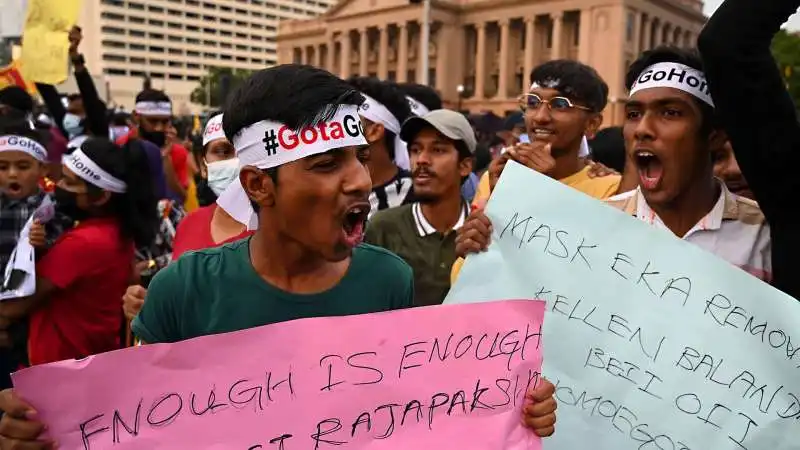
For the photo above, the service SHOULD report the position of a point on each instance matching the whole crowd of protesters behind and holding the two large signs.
(312, 196)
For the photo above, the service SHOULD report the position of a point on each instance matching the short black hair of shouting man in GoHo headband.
(687, 57)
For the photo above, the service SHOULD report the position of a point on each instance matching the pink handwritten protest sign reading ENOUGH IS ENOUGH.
(451, 376)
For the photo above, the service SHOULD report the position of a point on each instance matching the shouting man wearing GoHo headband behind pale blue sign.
(671, 131)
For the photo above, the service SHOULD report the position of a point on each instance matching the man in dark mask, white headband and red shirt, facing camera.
(153, 119)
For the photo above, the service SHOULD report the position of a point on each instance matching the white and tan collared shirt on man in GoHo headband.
(734, 230)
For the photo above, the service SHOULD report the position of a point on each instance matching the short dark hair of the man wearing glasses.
(575, 80)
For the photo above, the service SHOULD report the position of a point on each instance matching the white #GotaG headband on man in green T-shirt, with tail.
(269, 144)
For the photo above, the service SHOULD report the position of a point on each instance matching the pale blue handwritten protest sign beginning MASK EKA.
(653, 343)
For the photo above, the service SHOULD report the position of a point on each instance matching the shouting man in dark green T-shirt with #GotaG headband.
(305, 186)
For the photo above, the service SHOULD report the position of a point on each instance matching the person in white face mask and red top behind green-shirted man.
(209, 226)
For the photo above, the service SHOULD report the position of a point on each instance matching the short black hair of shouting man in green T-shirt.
(293, 94)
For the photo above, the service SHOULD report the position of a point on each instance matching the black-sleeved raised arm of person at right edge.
(759, 116)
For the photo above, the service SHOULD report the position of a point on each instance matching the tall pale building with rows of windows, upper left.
(174, 42)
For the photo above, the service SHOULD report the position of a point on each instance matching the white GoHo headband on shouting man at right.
(676, 76)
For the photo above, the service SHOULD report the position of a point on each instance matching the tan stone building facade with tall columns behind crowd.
(481, 52)
